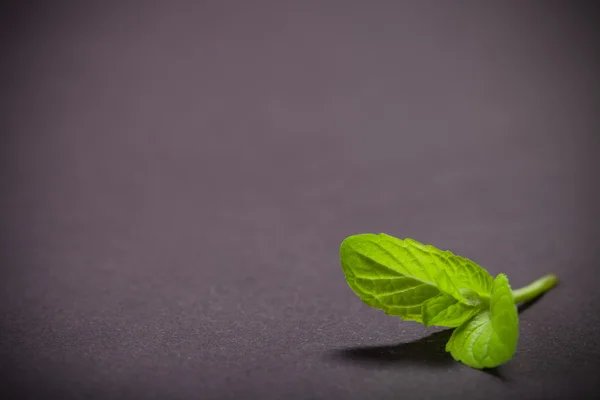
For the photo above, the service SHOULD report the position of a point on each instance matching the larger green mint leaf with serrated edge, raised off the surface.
(400, 276)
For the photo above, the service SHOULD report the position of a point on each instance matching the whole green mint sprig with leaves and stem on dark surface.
(421, 283)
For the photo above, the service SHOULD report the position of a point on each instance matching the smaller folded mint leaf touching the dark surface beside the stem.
(490, 338)
